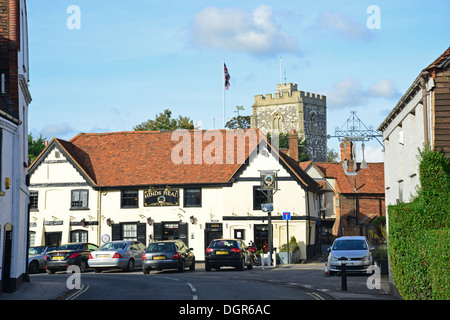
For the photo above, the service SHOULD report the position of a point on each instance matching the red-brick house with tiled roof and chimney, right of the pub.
(352, 198)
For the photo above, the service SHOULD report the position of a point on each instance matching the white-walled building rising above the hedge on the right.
(421, 116)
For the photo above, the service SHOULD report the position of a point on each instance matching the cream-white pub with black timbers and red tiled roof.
(149, 186)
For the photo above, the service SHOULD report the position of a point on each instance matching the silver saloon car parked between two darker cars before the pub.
(125, 255)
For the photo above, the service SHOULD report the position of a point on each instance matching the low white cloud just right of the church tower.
(349, 92)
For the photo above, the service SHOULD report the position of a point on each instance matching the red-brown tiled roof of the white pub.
(143, 158)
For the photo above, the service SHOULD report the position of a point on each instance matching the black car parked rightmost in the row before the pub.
(228, 252)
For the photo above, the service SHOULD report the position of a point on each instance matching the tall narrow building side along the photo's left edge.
(14, 102)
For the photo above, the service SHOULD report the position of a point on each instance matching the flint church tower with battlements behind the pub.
(290, 109)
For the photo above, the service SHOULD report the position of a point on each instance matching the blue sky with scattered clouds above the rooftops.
(108, 65)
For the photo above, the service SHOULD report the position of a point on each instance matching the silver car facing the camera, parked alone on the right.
(354, 250)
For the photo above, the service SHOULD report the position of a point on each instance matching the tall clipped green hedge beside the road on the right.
(419, 233)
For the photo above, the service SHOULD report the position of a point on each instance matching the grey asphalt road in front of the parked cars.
(224, 284)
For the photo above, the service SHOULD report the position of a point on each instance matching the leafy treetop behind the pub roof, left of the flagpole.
(164, 122)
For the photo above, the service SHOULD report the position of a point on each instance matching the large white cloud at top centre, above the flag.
(237, 30)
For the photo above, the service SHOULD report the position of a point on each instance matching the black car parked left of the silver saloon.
(67, 255)
